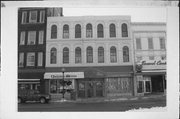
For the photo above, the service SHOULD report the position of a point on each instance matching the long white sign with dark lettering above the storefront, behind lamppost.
(67, 75)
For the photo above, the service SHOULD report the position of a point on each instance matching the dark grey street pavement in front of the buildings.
(116, 105)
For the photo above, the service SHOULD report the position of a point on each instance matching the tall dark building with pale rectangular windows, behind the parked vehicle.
(32, 46)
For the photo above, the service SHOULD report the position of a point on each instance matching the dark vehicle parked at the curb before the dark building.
(32, 95)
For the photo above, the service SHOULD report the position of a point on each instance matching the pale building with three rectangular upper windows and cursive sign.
(150, 57)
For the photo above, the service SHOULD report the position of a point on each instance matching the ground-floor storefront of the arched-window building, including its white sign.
(91, 82)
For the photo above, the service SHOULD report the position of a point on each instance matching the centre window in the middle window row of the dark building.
(31, 38)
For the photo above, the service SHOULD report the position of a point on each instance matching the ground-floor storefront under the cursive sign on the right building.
(151, 78)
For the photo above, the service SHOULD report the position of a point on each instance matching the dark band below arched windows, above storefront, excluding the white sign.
(97, 72)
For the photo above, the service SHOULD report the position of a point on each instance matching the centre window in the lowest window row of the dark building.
(30, 59)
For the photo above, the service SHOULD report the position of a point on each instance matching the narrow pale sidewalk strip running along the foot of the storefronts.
(112, 99)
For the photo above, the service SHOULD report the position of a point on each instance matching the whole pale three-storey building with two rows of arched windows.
(96, 53)
